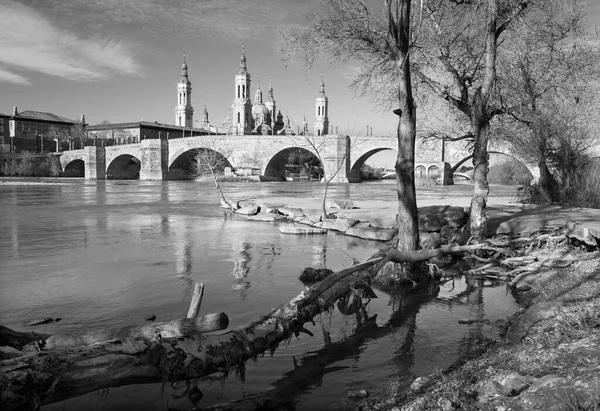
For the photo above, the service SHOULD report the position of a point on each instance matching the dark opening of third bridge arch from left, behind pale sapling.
(199, 164)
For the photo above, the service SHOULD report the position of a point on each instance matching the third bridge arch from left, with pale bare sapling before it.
(186, 164)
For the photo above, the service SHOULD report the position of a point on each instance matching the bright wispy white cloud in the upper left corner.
(34, 43)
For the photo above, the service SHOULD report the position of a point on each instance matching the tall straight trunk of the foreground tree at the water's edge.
(407, 218)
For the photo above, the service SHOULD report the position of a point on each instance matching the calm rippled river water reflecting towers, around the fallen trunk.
(110, 253)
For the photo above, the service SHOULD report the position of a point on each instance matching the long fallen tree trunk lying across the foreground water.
(64, 371)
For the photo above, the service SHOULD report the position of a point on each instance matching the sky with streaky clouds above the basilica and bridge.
(120, 60)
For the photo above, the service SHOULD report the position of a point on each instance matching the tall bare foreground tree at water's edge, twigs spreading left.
(378, 35)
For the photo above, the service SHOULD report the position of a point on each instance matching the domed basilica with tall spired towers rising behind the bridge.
(246, 116)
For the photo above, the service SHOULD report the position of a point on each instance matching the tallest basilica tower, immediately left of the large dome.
(241, 109)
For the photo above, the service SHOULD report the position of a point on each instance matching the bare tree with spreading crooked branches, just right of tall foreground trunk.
(459, 62)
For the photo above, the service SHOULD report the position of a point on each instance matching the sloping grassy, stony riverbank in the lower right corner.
(548, 358)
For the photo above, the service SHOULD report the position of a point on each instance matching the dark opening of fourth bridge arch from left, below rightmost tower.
(293, 164)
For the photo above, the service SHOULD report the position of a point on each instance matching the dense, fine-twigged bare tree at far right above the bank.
(544, 75)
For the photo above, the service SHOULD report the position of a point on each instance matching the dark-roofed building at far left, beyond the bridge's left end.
(38, 131)
